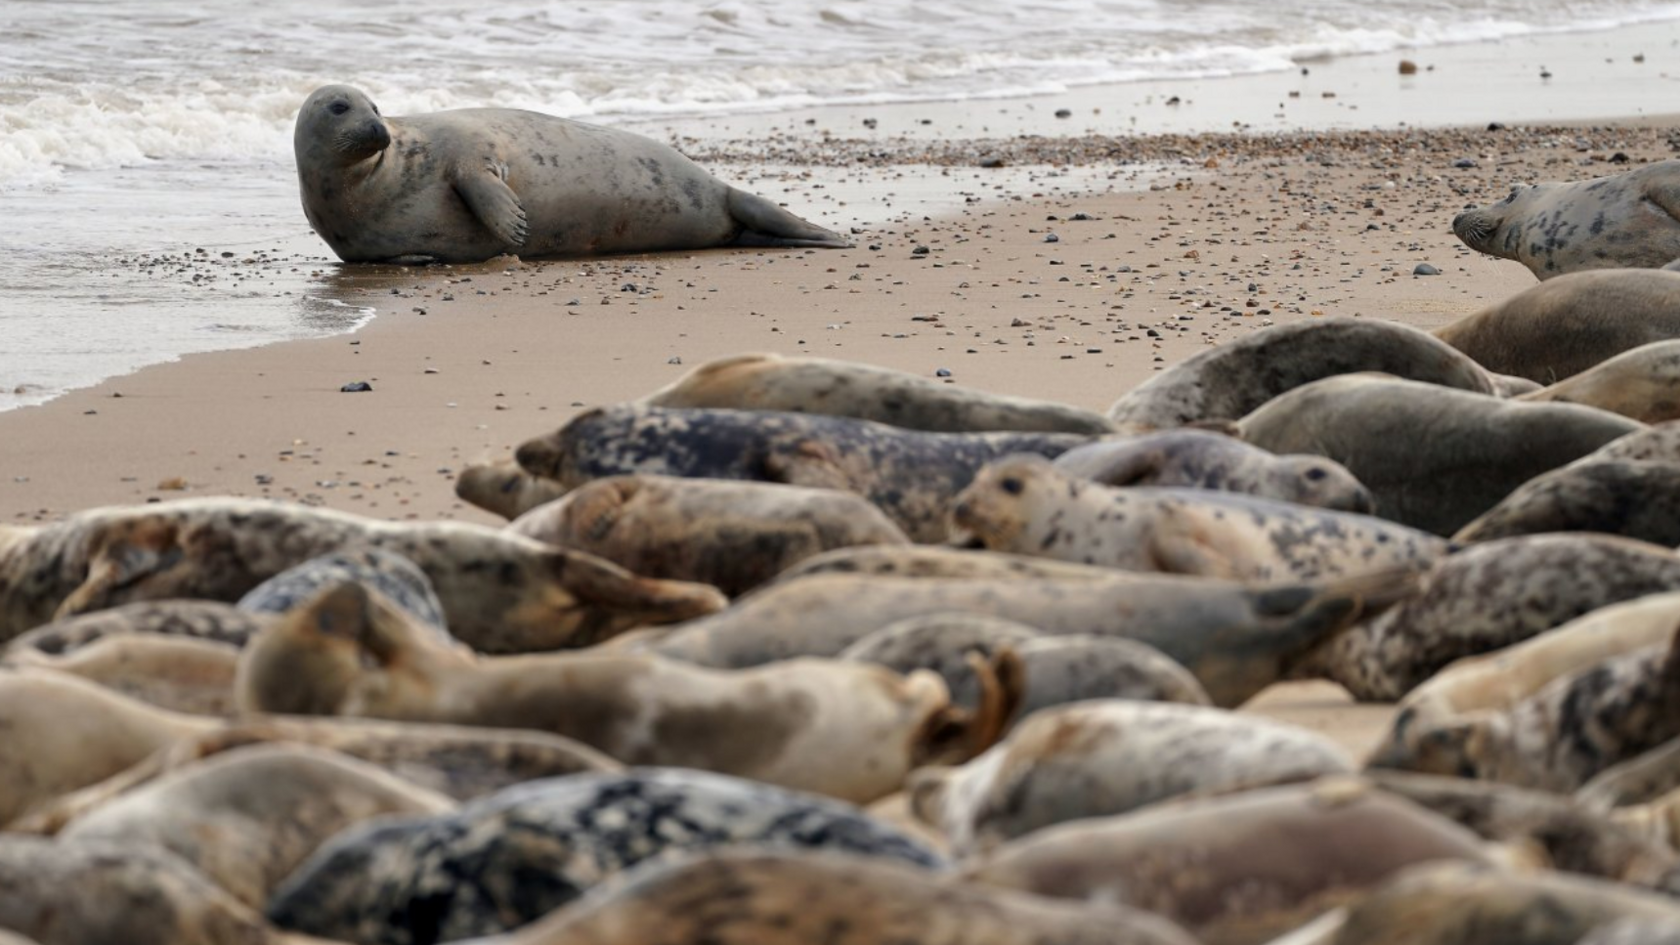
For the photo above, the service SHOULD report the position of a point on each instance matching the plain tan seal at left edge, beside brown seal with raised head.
(177, 673)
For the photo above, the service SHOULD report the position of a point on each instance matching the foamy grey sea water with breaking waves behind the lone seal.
(149, 203)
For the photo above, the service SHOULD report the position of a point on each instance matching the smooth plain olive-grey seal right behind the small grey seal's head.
(1434, 458)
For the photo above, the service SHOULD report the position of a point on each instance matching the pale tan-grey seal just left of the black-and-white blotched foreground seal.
(248, 818)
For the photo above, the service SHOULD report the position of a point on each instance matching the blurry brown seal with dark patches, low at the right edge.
(1565, 833)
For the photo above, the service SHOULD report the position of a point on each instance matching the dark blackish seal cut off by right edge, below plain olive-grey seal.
(1639, 500)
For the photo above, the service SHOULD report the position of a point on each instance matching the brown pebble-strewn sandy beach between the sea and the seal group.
(1100, 253)
